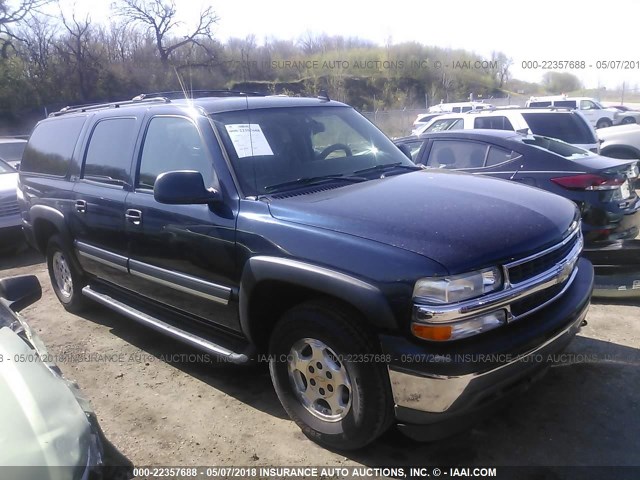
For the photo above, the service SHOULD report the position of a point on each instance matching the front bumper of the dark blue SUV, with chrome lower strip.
(439, 389)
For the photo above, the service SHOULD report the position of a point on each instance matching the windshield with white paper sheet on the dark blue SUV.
(273, 149)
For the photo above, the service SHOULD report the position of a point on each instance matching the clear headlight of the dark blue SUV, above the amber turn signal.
(457, 288)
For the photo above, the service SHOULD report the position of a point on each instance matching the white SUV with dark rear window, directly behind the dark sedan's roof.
(563, 124)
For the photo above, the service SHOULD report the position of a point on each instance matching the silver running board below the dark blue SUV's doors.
(164, 327)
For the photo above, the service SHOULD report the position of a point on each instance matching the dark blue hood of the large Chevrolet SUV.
(462, 221)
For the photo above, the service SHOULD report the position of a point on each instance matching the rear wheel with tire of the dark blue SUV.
(66, 279)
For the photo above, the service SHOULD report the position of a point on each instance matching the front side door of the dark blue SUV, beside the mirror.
(182, 256)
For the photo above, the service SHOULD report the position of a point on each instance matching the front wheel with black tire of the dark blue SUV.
(325, 333)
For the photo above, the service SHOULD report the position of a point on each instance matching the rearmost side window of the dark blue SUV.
(51, 146)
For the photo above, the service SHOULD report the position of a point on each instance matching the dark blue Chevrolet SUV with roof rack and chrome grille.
(292, 227)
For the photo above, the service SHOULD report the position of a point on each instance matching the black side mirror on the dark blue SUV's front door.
(183, 187)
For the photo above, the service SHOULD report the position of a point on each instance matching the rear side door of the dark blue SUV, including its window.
(97, 215)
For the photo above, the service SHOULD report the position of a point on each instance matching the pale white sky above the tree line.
(539, 31)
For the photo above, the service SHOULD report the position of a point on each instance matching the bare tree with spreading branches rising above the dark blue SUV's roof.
(159, 17)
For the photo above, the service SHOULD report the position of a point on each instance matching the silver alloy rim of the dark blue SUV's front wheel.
(319, 379)
